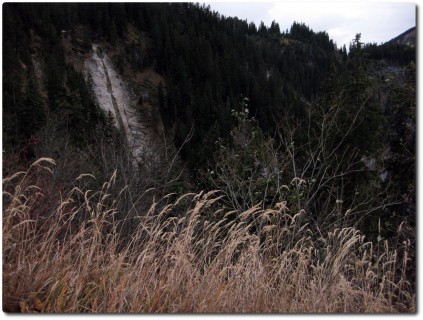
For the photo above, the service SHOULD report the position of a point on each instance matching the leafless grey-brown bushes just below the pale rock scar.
(158, 171)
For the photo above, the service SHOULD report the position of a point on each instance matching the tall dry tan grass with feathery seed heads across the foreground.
(64, 253)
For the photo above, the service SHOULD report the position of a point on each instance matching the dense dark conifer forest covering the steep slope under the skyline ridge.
(199, 54)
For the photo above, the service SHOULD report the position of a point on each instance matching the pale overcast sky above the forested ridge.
(377, 21)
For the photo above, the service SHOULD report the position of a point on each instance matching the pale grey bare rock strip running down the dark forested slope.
(113, 96)
